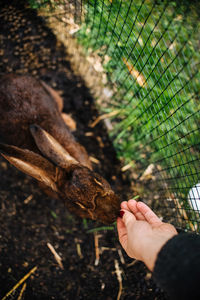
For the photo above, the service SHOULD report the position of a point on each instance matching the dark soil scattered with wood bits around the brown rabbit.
(28, 218)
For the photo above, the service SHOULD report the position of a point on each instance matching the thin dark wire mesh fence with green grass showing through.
(149, 50)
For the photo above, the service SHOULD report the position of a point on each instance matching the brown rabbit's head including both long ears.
(84, 192)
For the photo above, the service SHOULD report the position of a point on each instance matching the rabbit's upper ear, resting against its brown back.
(50, 148)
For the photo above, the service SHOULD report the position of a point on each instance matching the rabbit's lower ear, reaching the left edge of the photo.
(31, 163)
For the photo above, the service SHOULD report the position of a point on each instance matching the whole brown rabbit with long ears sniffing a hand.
(35, 139)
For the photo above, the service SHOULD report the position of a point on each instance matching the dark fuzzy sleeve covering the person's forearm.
(177, 267)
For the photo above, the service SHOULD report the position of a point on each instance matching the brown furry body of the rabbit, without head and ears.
(24, 101)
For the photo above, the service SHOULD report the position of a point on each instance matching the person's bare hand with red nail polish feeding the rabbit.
(141, 233)
